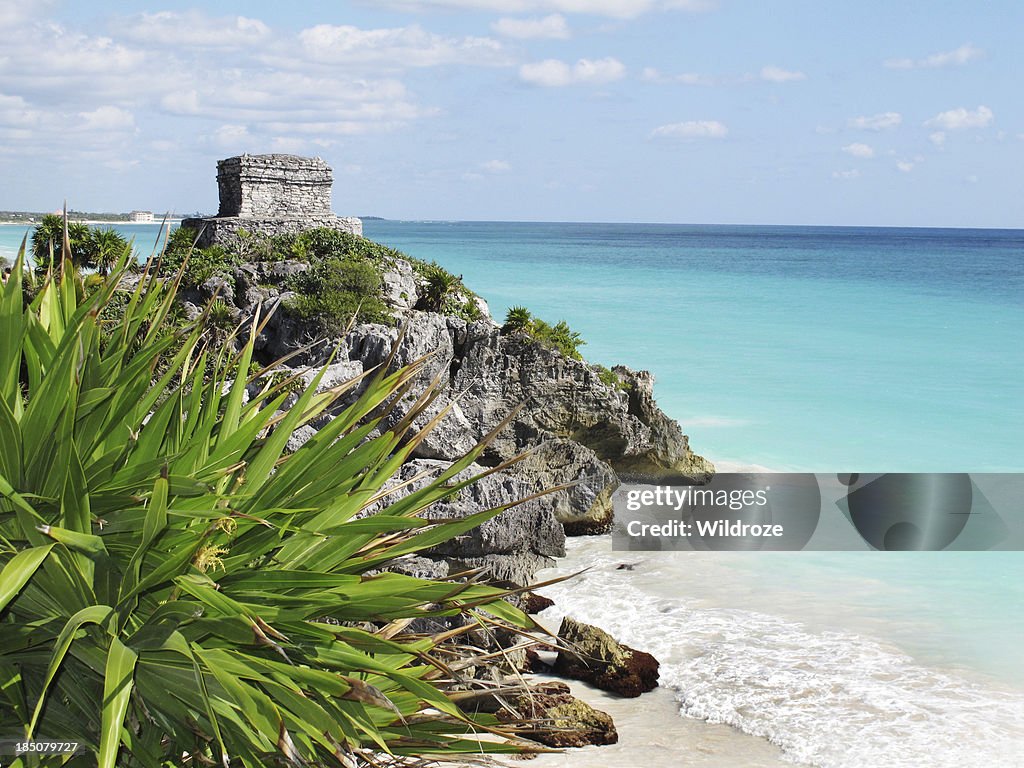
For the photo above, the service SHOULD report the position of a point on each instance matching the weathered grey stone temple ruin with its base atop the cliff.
(271, 195)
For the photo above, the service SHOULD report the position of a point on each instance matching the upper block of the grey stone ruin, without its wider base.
(274, 186)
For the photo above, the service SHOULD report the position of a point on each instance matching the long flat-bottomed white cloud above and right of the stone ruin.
(400, 48)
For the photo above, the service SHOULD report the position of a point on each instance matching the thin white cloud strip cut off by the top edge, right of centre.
(613, 9)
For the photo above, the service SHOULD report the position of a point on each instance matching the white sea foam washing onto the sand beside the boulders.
(829, 699)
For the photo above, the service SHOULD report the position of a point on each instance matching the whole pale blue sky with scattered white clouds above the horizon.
(798, 112)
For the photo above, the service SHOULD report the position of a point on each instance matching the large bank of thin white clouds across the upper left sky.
(90, 94)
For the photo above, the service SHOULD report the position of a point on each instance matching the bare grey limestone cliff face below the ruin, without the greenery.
(575, 428)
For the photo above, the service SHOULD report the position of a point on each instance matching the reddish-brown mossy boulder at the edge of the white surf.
(592, 655)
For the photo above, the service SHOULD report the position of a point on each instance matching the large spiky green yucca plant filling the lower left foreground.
(176, 588)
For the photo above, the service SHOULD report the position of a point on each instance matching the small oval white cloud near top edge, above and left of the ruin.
(194, 29)
